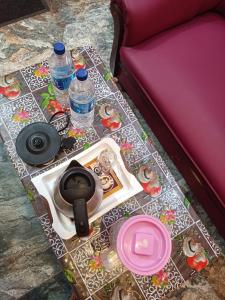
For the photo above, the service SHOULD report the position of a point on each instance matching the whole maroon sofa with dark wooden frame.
(169, 56)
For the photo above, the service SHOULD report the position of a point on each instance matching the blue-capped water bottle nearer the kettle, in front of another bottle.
(82, 100)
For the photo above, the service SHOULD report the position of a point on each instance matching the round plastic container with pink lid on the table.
(142, 244)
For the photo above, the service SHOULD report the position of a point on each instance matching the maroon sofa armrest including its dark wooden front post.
(138, 20)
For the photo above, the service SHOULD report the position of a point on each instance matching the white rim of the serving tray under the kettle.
(45, 184)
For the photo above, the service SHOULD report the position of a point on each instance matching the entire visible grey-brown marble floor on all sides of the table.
(28, 268)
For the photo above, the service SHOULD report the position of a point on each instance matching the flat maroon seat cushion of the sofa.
(183, 71)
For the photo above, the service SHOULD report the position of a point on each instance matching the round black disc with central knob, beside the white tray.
(38, 143)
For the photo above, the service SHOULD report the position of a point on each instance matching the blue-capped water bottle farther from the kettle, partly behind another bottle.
(62, 72)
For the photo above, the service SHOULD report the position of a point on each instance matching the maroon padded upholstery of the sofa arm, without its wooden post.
(144, 18)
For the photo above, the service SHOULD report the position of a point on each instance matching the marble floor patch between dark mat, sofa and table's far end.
(77, 23)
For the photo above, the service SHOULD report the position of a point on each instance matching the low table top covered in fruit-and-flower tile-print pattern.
(27, 96)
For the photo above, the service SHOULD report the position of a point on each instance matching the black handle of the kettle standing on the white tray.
(81, 217)
